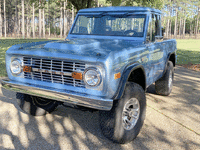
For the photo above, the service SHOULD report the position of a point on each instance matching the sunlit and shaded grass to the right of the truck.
(188, 51)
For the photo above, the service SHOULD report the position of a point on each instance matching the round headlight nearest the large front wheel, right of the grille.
(92, 77)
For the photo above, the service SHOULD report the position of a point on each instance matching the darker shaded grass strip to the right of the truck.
(188, 57)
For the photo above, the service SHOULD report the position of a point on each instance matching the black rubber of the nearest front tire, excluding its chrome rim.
(111, 122)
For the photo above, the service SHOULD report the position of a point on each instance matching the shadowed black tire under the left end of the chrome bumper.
(35, 106)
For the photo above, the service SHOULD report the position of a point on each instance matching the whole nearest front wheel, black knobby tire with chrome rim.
(123, 122)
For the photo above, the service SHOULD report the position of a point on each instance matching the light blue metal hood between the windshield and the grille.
(89, 49)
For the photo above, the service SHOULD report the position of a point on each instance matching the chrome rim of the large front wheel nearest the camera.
(130, 114)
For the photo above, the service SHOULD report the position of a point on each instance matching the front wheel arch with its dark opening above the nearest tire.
(132, 73)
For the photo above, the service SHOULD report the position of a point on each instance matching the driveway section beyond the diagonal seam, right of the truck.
(183, 104)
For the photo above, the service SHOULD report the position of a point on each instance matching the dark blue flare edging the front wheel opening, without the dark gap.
(126, 73)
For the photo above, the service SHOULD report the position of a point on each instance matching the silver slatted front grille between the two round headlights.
(53, 70)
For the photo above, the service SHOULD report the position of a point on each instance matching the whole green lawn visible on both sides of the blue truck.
(188, 51)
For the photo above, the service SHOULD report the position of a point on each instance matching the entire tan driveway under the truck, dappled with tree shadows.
(172, 122)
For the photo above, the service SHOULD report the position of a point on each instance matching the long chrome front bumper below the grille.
(58, 94)
